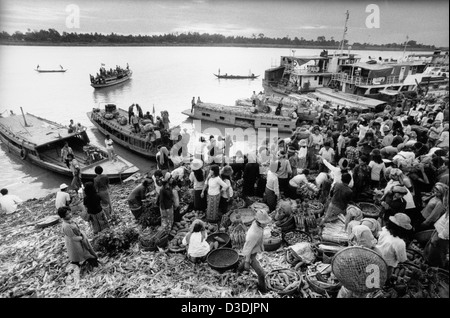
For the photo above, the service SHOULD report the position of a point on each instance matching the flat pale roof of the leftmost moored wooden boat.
(38, 131)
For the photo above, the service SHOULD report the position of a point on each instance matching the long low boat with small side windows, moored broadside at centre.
(242, 116)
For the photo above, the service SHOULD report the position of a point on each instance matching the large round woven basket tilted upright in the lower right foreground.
(360, 269)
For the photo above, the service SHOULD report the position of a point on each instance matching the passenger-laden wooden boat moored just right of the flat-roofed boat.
(124, 135)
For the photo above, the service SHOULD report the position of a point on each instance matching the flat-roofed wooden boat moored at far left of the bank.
(40, 141)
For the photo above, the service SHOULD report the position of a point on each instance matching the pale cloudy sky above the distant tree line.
(426, 22)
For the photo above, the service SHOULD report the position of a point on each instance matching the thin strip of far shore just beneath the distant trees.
(368, 48)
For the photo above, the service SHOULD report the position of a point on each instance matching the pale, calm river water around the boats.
(164, 77)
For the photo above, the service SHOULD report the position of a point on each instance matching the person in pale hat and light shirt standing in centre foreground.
(254, 244)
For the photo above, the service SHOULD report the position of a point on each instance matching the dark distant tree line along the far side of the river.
(52, 36)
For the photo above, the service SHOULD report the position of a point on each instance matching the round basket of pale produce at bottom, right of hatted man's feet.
(283, 281)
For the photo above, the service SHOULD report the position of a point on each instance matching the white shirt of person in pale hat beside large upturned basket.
(393, 249)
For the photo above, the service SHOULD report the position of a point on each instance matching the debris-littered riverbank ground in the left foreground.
(35, 262)
